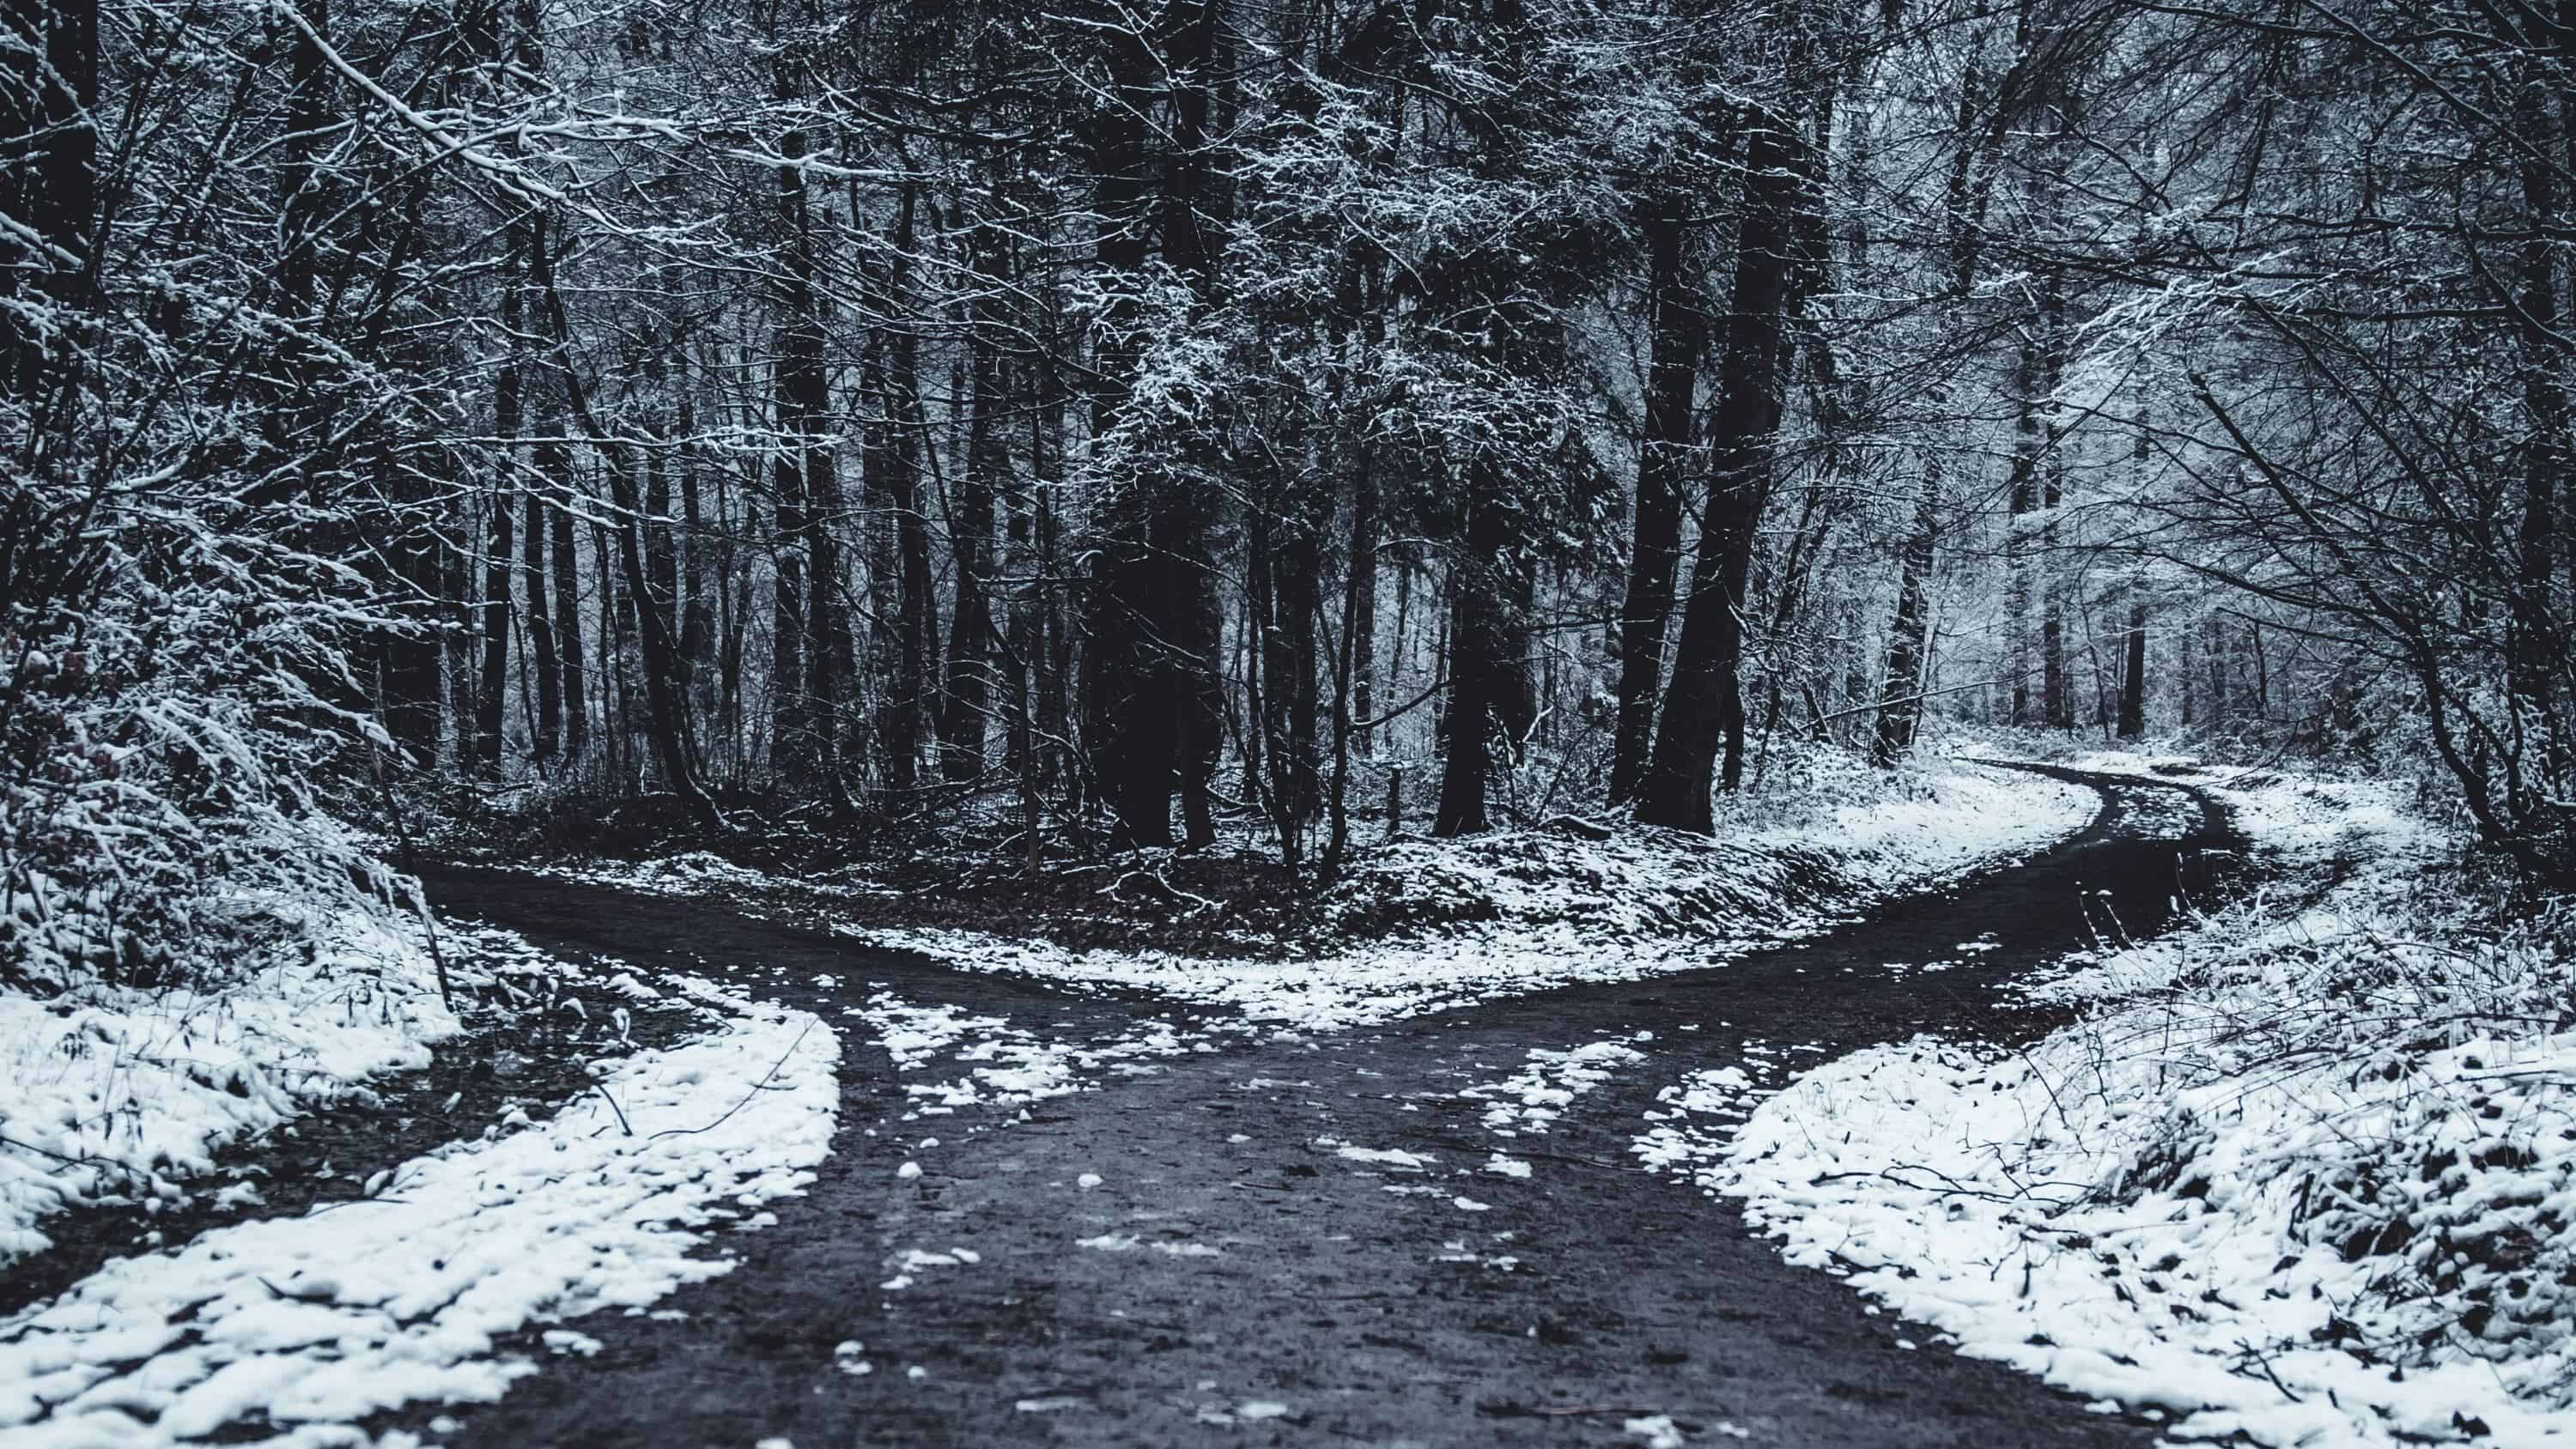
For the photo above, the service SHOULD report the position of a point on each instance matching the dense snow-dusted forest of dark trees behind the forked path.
(1091, 423)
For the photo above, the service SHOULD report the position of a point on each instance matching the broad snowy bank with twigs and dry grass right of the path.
(2304, 1172)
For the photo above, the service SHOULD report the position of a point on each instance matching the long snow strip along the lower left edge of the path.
(303, 1327)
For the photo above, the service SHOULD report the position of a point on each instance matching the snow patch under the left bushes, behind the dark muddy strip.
(115, 1093)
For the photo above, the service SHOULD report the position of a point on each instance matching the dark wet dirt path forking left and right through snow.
(1189, 1257)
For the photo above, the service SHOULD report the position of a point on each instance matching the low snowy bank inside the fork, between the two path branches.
(1428, 925)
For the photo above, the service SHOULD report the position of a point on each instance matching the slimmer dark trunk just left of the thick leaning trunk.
(1678, 333)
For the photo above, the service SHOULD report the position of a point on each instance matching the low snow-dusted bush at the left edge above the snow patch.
(156, 766)
